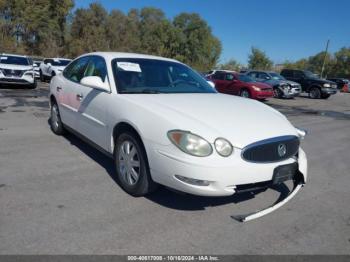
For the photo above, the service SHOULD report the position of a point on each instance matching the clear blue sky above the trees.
(284, 29)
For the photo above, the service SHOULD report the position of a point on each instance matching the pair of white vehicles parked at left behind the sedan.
(22, 70)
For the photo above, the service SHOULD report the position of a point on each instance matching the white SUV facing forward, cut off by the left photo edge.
(17, 70)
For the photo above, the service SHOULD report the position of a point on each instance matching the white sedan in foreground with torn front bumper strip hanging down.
(162, 123)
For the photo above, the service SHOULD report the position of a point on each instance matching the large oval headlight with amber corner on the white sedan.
(190, 143)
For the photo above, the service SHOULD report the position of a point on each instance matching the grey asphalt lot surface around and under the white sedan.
(58, 195)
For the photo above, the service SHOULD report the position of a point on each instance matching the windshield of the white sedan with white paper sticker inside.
(152, 76)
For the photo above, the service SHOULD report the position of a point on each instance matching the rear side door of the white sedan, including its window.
(67, 92)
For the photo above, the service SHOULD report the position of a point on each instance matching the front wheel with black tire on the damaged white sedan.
(132, 167)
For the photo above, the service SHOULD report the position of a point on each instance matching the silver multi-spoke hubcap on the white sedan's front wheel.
(129, 162)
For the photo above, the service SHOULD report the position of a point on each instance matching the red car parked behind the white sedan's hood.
(232, 83)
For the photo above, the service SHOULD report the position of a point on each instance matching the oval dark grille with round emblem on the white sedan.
(271, 150)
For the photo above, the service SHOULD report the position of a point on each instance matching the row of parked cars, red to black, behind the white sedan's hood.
(261, 85)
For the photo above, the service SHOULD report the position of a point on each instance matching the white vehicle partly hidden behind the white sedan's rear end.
(51, 67)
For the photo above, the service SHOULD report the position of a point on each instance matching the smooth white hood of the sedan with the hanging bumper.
(240, 120)
